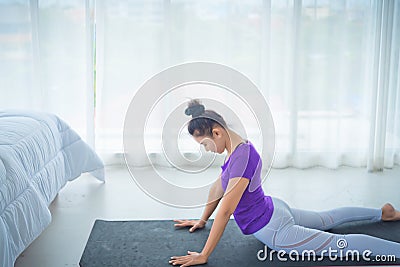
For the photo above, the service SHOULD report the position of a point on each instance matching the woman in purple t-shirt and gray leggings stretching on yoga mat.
(269, 219)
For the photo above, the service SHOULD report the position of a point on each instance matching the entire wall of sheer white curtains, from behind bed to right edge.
(328, 69)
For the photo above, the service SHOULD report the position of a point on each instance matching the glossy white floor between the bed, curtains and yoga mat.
(84, 200)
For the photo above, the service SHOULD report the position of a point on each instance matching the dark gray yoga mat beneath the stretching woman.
(152, 243)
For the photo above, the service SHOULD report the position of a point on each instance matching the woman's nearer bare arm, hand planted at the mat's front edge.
(234, 192)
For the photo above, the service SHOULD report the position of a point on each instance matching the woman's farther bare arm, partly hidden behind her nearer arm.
(214, 196)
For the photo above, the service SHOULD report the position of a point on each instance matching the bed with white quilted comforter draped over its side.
(39, 154)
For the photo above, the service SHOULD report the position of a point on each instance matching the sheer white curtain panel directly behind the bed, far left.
(45, 59)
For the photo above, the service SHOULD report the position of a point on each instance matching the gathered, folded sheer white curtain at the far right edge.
(384, 83)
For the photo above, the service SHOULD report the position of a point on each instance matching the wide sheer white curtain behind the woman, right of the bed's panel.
(328, 69)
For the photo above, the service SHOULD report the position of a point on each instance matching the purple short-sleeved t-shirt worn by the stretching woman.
(254, 209)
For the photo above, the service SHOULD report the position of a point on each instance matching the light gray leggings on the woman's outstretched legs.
(293, 229)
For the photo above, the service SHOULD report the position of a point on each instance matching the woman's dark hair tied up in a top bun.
(203, 120)
